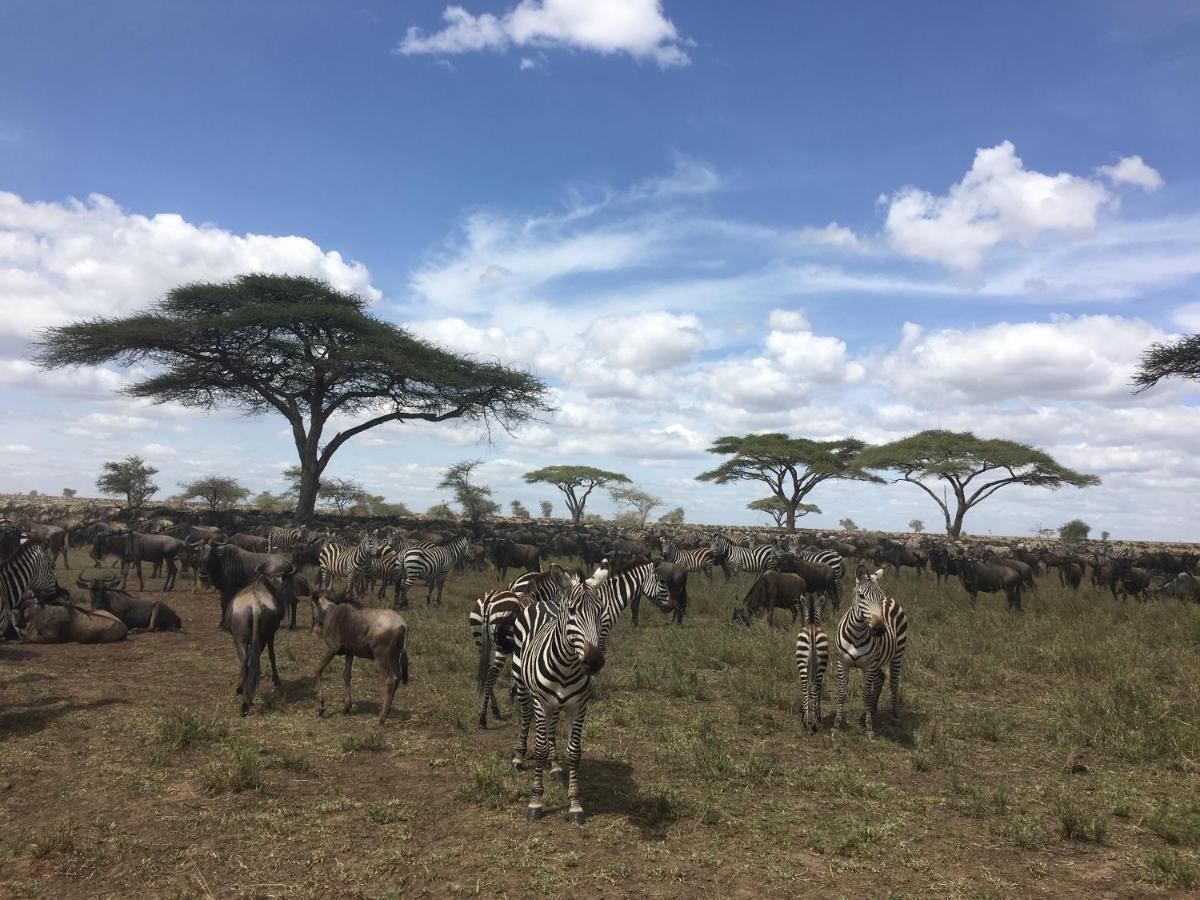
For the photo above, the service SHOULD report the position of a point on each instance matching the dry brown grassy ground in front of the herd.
(1049, 754)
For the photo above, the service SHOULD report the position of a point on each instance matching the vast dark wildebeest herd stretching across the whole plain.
(263, 566)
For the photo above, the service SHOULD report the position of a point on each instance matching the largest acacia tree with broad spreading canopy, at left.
(302, 349)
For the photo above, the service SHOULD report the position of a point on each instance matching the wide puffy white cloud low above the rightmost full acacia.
(1070, 358)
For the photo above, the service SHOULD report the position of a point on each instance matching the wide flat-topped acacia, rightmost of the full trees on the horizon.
(971, 469)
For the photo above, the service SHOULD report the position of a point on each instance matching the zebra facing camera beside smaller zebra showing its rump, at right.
(871, 637)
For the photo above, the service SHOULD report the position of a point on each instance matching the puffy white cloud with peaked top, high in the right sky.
(998, 201)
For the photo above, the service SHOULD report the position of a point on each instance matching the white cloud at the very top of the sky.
(634, 27)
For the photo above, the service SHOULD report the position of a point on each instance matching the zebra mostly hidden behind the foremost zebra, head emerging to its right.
(614, 595)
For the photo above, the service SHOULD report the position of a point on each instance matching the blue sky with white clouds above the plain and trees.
(693, 219)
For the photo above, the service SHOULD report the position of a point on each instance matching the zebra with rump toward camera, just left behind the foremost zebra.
(491, 621)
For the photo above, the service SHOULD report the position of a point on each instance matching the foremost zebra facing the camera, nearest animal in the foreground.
(559, 668)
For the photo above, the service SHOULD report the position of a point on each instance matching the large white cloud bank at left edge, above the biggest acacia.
(65, 261)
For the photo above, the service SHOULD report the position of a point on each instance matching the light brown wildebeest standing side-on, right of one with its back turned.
(352, 631)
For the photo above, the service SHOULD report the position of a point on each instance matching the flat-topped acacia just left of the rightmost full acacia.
(790, 467)
